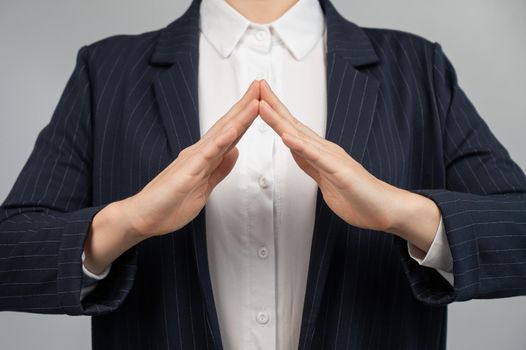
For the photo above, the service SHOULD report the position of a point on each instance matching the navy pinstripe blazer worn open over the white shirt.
(393, 103)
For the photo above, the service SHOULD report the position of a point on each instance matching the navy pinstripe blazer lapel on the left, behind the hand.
(177, 98)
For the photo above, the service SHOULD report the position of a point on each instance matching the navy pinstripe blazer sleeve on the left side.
(46, 216)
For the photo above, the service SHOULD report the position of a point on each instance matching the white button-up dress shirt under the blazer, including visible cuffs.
(260, 218)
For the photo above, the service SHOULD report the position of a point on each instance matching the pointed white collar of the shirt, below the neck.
(299, 28)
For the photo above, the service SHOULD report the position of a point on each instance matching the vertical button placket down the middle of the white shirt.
(263, 285)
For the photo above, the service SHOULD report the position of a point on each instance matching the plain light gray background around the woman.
(38, 45)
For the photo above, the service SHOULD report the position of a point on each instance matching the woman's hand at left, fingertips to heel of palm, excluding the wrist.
(177, 194)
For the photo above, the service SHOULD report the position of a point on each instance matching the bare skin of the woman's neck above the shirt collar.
(261, 11)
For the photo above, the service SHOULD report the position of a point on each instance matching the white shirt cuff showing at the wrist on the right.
(438, 256)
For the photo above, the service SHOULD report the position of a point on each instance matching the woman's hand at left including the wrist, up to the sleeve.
(177, 194)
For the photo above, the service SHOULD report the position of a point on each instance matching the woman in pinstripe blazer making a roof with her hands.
(366, 150)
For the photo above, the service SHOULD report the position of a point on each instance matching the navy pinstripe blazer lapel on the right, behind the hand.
(351, 106)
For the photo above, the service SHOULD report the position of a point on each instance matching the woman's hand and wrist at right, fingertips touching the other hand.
(352, 193)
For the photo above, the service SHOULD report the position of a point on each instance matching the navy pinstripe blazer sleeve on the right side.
(483, 205)
